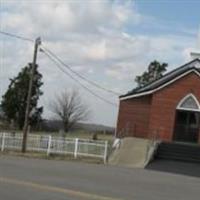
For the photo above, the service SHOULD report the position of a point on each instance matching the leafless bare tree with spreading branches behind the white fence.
(69, 108)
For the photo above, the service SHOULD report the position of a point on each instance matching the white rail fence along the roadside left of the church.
(56, 145)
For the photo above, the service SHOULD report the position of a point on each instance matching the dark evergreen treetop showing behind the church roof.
(155, 71)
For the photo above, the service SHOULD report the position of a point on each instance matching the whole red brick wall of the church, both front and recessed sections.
(155, 114)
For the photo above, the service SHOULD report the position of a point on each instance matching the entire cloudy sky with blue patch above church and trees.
(107, 41)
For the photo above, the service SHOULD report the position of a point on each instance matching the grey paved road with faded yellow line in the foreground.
(23, 178)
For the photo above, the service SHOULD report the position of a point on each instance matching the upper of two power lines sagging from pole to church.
(79, 75)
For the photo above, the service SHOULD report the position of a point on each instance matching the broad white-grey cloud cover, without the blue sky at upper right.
(92, 37)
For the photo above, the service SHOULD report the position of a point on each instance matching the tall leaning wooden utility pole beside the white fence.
(26, 121)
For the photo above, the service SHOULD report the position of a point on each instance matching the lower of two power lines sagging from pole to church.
(76, 80)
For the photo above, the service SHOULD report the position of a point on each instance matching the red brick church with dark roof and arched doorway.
(168, 108)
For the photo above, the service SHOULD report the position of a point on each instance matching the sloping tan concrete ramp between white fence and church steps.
(133, 152)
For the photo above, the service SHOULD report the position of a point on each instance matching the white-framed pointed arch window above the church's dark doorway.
(189, 102)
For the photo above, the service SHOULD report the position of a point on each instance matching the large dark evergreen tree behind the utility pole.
(14, 101)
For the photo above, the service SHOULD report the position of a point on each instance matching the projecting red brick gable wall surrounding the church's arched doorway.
(165, 101)
